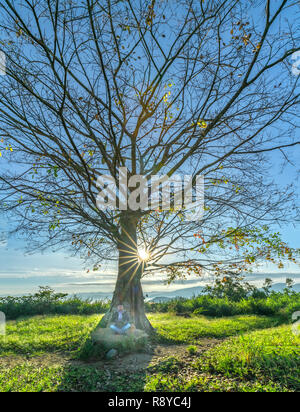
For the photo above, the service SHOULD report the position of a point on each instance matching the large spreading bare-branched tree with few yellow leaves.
(159, 87)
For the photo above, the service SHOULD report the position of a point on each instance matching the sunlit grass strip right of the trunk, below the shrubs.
(177, 329)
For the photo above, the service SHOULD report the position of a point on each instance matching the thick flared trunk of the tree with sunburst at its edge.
(128, 290)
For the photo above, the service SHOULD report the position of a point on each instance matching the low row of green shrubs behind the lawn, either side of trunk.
(46, 301)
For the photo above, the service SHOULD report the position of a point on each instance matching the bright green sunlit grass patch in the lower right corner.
(267, 355)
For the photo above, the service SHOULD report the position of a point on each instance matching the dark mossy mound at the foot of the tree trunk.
(133, 340)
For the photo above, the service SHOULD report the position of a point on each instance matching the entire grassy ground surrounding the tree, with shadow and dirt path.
(239, 353)
